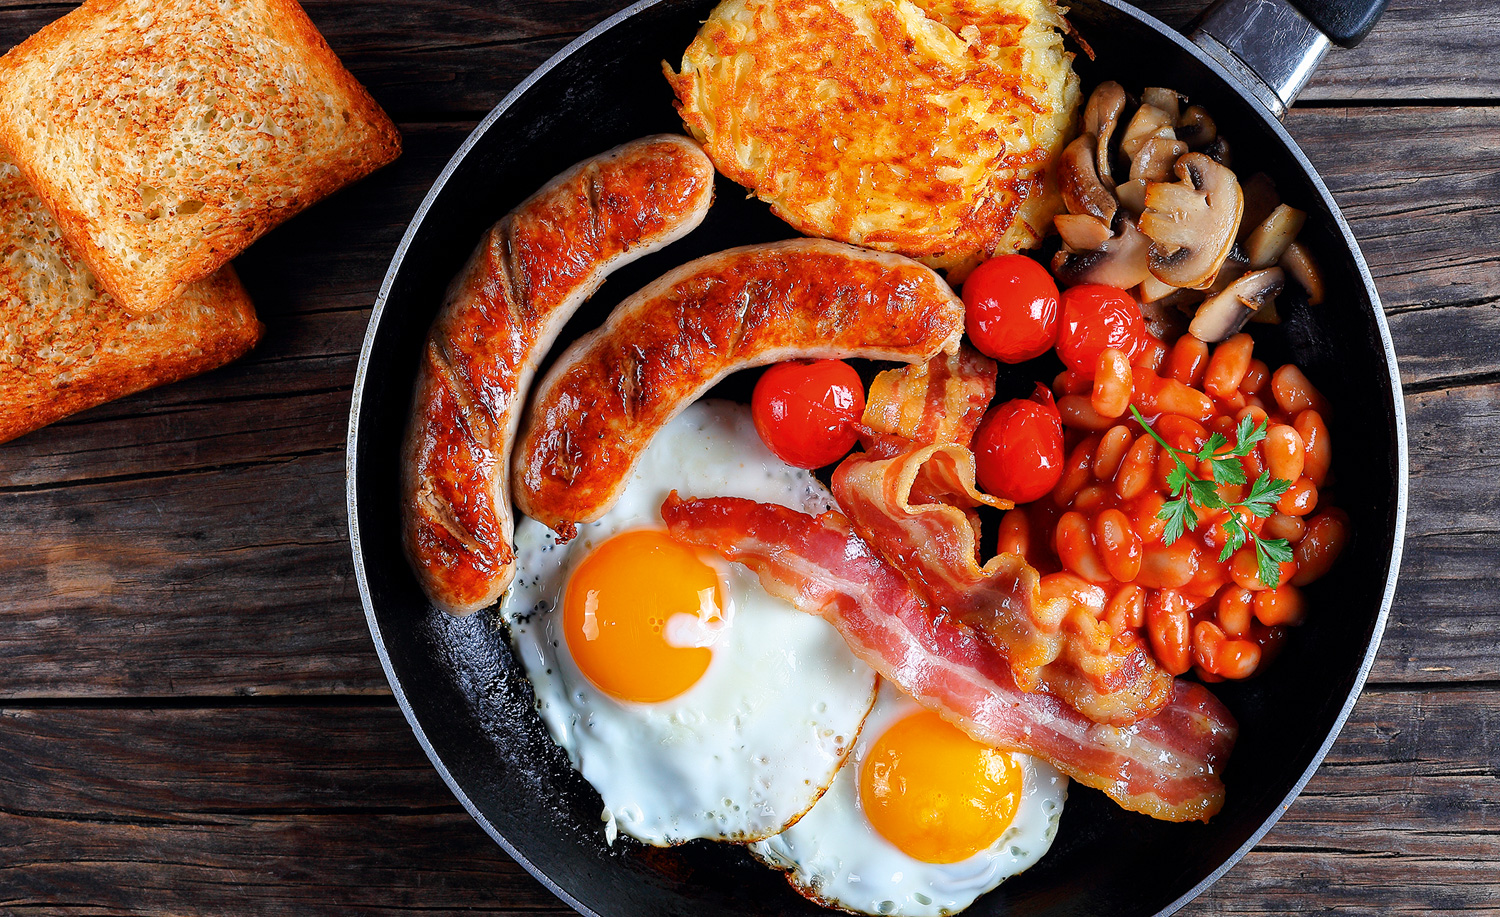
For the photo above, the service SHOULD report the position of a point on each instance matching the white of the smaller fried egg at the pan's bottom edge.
(835, 856)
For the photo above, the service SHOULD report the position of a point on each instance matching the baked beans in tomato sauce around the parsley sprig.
(1100, 526)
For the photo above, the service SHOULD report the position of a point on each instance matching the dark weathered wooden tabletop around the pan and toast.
(193, 720)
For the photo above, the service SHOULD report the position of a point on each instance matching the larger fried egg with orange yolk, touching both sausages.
(695, 703)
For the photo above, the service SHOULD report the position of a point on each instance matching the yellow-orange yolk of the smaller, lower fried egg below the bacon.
(935, 793)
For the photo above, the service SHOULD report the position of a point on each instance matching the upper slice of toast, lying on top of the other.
(167, 137)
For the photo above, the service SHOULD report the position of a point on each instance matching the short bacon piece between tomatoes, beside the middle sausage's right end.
(938, 401)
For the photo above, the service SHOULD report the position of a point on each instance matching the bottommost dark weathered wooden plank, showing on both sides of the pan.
(316, 810)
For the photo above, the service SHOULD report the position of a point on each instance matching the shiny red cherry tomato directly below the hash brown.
(1012, 308)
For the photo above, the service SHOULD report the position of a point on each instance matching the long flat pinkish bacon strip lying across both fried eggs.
(1166, 768)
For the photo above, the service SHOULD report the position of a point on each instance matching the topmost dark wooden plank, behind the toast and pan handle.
(446, 58)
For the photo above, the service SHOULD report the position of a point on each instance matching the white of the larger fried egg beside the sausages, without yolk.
(757, 741)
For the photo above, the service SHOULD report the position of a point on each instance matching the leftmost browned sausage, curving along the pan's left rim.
(524, 281)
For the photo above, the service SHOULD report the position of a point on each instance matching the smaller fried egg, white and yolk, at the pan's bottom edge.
(922, 820)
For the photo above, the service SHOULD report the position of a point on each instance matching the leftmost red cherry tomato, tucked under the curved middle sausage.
(806, 412)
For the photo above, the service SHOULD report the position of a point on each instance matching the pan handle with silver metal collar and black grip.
(1273, 47)
